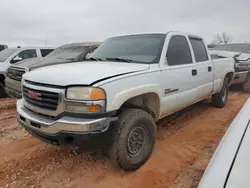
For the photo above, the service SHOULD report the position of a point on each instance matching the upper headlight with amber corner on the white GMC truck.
(85, 93)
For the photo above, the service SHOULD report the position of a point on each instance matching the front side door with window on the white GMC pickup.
(179, 76)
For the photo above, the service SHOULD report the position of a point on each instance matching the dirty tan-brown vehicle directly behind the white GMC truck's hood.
(63, 54)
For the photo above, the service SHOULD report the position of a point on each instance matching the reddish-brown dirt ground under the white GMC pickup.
(185, 144)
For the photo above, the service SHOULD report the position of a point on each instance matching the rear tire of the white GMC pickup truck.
(220, 99)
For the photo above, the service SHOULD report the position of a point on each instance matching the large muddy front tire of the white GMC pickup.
(132, 124)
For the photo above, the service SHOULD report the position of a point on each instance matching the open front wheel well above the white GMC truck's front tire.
(149, 102)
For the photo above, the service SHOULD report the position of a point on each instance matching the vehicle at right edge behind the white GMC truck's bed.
(241, 53)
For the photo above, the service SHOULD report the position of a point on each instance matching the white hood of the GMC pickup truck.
(82, 73)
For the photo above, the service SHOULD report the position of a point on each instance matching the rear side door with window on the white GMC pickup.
(204, 68)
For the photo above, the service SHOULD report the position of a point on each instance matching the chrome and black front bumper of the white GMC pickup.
(66, 130)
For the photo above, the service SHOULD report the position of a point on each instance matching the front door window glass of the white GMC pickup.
(178, 51)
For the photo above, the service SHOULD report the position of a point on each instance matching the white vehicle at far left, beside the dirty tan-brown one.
(13, 55)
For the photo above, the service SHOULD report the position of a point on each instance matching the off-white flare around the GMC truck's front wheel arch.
(121, 97)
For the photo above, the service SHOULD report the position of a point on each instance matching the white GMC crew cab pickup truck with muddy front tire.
(113, 100)
